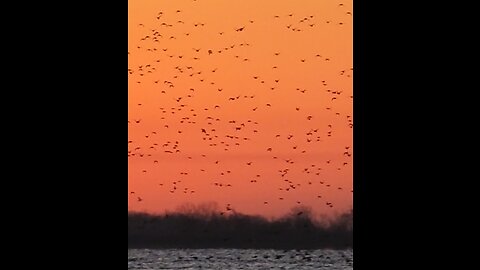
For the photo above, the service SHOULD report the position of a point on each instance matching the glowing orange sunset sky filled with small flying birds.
(176, 91)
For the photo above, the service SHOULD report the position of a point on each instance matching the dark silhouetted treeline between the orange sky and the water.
(205, 227)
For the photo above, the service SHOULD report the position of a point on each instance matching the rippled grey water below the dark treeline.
(239, 259)
